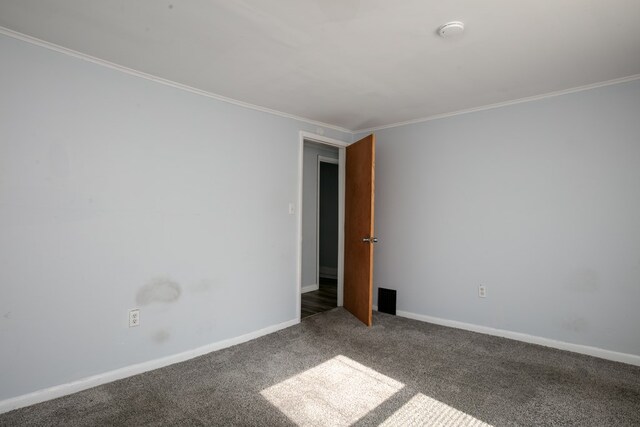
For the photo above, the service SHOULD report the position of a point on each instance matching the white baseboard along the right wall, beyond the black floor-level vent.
(631, 359)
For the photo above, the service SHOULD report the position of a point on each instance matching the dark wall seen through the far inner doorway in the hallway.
(328, 215)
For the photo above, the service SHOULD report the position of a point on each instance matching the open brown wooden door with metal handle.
(358, 228)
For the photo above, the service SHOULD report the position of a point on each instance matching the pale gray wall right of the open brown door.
(539, 201)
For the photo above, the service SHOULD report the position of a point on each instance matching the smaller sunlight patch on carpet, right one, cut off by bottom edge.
(423, 410)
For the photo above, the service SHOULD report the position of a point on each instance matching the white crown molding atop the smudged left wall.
(133, 72)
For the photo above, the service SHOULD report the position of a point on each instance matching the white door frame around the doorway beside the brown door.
(341, 145)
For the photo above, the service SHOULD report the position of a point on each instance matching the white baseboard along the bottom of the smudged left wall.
(127, 371)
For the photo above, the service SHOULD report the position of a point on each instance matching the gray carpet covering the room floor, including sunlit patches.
(331, 370)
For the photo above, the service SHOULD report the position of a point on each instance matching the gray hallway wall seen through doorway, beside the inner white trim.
(309, 208)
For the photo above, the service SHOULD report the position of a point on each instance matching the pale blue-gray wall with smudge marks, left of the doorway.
(118, 192)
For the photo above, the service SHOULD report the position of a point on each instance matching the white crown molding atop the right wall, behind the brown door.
(503, 104)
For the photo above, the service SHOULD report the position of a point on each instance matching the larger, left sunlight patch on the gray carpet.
(337, 392)
